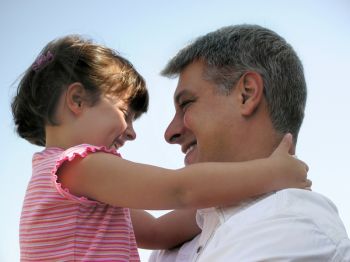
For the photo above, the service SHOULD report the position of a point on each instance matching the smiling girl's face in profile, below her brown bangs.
(108, 123)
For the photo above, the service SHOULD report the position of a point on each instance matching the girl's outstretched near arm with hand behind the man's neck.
(115, 181)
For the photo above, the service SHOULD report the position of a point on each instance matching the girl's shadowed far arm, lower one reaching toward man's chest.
(167, 231)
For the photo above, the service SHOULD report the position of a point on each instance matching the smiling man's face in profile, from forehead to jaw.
(207, 123)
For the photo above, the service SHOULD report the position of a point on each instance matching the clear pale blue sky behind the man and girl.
(148, 33)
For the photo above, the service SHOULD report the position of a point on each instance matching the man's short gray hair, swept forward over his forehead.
(231, 51)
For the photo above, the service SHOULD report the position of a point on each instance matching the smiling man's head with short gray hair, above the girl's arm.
(246, 88)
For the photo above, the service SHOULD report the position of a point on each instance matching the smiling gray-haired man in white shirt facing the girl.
(240, 89)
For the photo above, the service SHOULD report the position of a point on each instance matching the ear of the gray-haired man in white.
(250, 91)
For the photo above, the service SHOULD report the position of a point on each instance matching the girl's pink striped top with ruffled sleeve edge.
(58, 226)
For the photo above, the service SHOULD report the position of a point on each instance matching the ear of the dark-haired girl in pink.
(75, 97)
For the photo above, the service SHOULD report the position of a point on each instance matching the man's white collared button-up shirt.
(290, 225)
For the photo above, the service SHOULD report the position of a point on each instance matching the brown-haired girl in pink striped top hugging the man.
(79, 101)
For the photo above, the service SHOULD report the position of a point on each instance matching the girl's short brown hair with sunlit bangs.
(99, 70)
